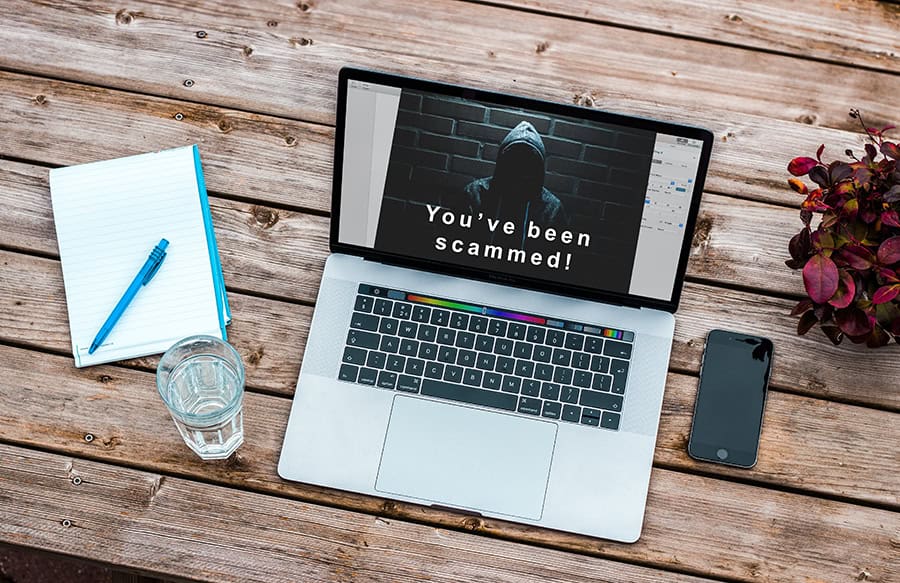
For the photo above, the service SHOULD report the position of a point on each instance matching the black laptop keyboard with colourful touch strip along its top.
(473, 354)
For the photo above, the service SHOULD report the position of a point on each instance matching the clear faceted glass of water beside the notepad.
(201, 381)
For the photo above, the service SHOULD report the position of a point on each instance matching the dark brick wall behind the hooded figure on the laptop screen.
(442, 143)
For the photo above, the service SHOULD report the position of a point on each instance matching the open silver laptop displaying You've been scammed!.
(493, 326)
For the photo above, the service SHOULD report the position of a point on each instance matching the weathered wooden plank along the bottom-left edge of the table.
(178, 528)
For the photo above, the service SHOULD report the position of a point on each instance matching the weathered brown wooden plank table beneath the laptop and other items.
(90, 463)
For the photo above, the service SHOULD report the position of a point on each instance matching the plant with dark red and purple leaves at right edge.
(851, 260)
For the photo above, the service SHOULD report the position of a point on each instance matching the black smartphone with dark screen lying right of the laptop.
(731, 398)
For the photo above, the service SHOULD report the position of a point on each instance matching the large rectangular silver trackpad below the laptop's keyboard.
(467, 458)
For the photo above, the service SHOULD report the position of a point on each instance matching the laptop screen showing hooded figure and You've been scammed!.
(465, 181)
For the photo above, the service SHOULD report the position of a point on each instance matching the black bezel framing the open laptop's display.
(347, 74)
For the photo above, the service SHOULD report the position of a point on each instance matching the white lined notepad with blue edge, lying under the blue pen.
(109, 215)
